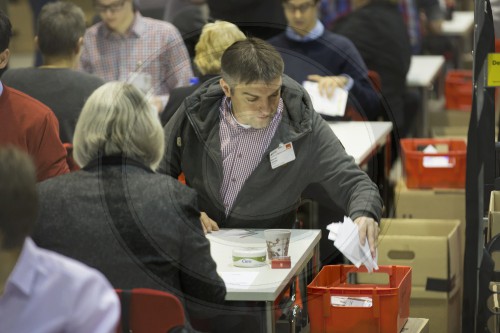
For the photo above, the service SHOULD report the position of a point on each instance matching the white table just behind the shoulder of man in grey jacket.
(362, 138)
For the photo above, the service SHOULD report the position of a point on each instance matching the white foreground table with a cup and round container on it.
(269, 283)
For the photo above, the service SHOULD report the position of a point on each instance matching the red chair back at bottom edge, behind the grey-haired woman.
(149, 311)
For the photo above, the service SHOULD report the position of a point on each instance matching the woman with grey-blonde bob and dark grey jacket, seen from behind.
(139, 228)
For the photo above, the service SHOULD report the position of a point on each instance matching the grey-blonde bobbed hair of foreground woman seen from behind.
(118, 121)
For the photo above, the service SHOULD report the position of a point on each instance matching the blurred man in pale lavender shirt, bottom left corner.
(42, 291)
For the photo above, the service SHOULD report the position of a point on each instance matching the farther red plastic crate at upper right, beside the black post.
(458, 90)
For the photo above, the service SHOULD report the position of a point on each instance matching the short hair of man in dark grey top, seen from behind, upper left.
(60, 26)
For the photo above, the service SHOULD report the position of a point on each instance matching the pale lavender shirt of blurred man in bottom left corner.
(49, 293)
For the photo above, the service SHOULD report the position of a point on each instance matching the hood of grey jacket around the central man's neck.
(203, 105)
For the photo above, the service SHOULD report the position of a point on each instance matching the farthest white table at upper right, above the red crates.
(459, 28)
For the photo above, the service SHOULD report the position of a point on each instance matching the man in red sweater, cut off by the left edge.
(27, 123)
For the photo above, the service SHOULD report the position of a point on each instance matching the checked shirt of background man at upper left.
(150, 46)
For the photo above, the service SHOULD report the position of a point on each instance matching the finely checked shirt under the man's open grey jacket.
(242, 150)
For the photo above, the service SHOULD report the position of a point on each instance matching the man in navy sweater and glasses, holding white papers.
(312, 53)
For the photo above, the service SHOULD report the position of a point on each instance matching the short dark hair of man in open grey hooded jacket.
(251, 60)
